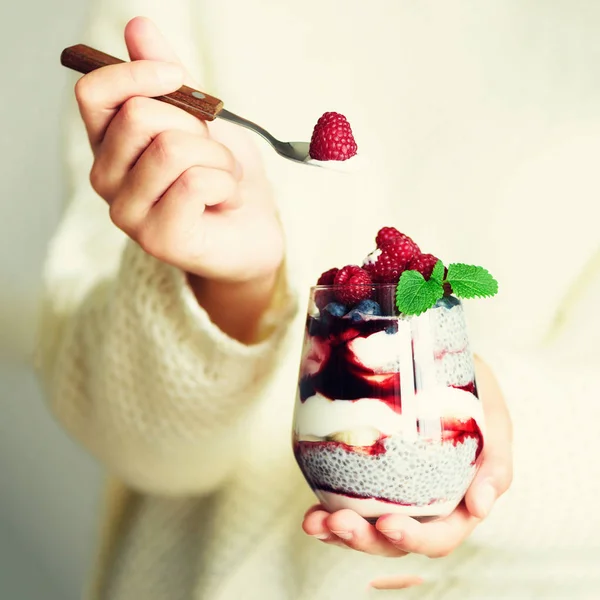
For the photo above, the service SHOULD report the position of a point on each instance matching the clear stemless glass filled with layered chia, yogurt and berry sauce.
(387, 417)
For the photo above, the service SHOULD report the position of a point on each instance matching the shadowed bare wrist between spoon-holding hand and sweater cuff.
(236, 307)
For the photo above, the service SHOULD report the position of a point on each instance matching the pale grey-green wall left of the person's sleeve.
(48, 488)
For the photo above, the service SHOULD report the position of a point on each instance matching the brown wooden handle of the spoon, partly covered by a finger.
(83, 59)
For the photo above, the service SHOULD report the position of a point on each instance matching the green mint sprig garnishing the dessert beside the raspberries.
(415, 295)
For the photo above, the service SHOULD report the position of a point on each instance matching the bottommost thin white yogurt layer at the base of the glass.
(370, 507)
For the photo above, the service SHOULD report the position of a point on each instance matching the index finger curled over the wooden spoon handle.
(101, 92)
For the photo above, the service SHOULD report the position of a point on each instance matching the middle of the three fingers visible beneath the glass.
(360, 535)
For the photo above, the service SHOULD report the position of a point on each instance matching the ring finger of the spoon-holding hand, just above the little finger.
(162, 163)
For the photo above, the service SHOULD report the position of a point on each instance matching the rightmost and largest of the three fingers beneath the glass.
(433, 539)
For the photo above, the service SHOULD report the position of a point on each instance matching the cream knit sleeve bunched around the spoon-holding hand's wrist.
(138, 373)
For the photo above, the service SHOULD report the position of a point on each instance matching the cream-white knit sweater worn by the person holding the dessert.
(478, 124)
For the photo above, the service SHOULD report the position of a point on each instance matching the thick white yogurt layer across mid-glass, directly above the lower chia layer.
(320, 417)
